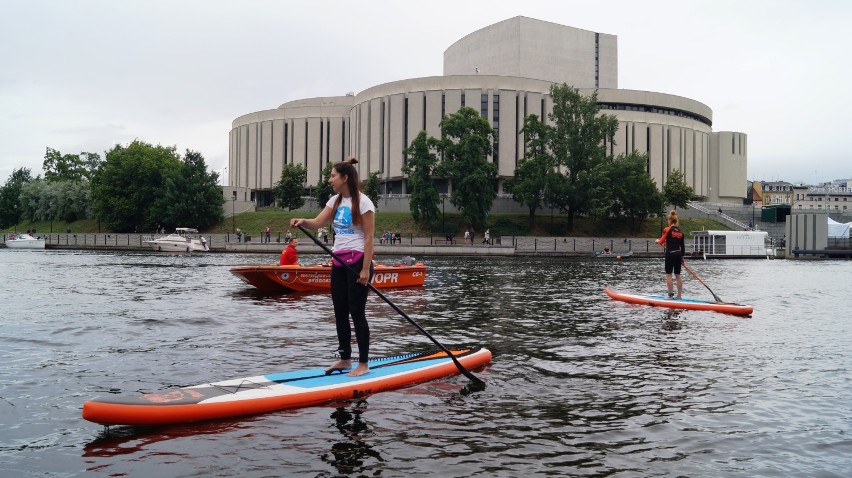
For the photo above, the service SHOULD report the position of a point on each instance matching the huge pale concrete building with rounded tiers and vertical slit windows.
(505, 71)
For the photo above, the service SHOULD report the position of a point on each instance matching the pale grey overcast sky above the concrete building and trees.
(86, 75)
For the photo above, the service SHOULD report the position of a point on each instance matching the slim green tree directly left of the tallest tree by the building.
(530, 179)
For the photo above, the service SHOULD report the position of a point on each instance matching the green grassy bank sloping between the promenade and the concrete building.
(252, 223)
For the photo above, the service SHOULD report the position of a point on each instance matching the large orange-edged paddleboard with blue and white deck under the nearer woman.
(276, 391)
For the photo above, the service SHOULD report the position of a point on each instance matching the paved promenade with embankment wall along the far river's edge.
(415, 246)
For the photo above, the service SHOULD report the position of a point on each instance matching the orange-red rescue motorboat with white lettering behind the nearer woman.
(317, 278)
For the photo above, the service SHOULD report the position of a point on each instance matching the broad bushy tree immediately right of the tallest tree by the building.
(634, 193)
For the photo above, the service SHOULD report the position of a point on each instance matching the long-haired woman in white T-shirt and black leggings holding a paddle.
(353, 217)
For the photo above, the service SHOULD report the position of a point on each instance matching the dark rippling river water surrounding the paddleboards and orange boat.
(579, 385)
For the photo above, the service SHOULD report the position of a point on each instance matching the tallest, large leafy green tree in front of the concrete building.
(578, 141)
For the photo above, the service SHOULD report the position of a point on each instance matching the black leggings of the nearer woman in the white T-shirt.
(350, 299)
